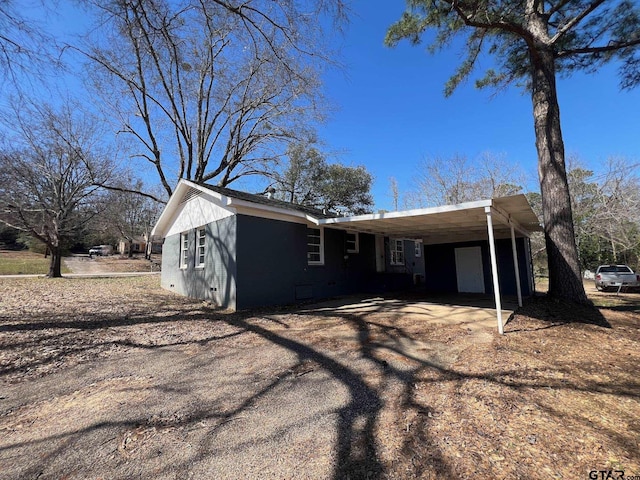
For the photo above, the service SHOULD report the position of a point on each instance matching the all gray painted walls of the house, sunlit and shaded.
(253, 261)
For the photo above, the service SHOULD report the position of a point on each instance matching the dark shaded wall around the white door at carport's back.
(440, 263)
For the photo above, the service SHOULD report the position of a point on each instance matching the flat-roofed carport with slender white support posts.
(489, 220)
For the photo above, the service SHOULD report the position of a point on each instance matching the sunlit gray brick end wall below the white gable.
(216, 281)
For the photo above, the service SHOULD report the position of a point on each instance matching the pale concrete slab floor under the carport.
(475, 312)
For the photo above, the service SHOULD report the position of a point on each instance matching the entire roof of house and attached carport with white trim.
(445, 224)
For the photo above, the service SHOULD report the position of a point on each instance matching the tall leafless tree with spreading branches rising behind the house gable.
(221, 87)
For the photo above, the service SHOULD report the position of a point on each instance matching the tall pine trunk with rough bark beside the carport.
(565, 281)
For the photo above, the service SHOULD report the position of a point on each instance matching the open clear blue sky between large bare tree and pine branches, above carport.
(392, 111)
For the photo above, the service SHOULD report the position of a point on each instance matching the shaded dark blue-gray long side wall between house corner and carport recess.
(273, 269)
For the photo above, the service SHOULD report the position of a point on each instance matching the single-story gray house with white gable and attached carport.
(240, 250)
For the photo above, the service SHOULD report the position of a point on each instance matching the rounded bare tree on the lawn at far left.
(48, 175)
